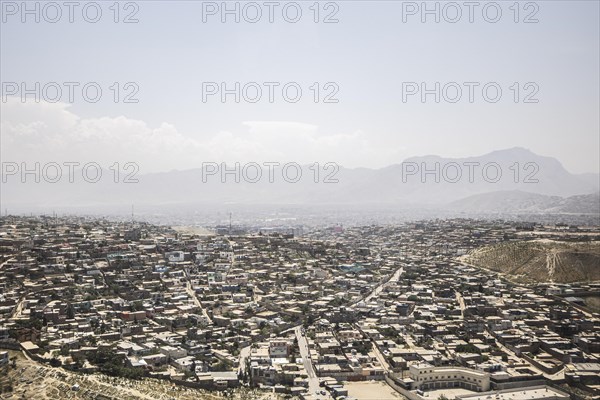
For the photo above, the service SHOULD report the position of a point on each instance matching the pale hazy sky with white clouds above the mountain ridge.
(367, 54)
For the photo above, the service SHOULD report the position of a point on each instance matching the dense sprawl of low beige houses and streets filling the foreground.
(401, 311)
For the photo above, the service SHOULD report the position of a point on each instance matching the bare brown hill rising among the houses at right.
(541, 261)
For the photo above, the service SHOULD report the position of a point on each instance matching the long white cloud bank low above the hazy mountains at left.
(52, 132)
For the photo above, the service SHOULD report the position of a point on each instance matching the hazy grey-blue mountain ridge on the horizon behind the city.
(516, 179)
